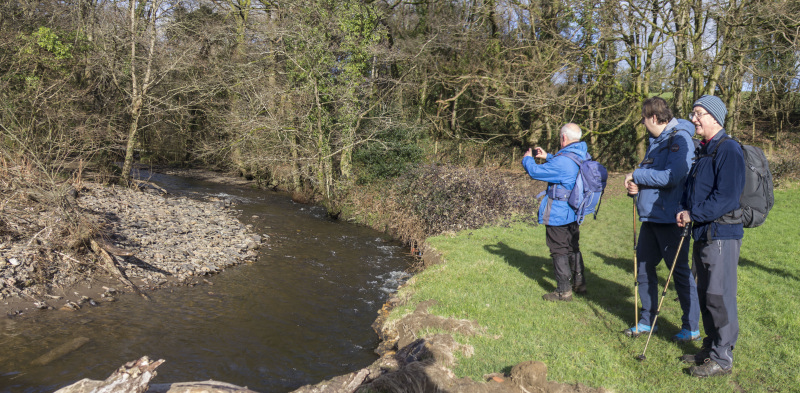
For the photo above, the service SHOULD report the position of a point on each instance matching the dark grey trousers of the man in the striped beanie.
(717, 263)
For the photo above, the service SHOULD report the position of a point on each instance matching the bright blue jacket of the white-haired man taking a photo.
(560, 173)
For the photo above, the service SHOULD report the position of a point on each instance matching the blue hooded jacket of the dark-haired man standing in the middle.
(661, 176)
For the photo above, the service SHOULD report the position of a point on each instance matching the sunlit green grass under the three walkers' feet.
(496, 276)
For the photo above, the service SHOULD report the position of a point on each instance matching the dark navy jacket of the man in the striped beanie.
(713, 188)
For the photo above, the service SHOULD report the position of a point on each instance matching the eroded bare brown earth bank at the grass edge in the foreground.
(415, 362)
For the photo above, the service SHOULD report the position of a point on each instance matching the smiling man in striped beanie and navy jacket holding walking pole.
(713, 187)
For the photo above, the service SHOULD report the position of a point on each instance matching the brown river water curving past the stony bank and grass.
(298, 315)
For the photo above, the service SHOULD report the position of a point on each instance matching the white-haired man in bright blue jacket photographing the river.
(562, 230)
